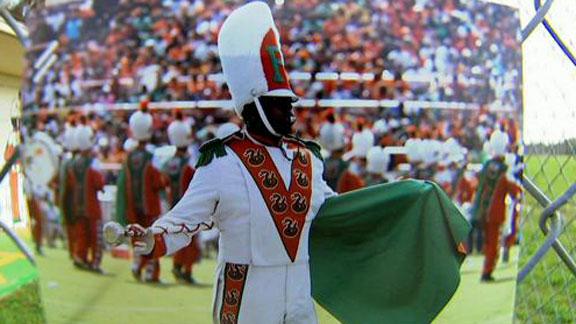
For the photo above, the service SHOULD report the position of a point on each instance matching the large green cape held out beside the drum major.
(387, 254)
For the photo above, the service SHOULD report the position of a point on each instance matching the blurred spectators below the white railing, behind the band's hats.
(471, 129)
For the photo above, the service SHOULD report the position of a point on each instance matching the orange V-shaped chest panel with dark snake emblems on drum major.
(288, 206)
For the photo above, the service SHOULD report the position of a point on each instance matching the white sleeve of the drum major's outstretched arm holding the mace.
(193, 213)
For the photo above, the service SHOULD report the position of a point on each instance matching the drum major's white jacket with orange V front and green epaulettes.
(223, 193)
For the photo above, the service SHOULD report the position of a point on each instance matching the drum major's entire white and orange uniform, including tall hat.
(263, 276)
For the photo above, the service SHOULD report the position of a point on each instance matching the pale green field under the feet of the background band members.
(73, 296)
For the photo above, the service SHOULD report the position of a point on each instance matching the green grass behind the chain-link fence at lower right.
(548, 295)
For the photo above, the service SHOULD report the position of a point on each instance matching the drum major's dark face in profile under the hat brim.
(280, 113)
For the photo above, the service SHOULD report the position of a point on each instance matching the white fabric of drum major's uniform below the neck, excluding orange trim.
(223, 194)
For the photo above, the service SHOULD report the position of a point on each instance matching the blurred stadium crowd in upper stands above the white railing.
(121, 51)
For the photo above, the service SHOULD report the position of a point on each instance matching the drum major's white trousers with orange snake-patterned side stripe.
(248, 294)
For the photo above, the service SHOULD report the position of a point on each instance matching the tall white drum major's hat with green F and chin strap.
(251, 57)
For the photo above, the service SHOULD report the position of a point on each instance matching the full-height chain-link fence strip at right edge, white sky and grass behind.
(546, 291)
